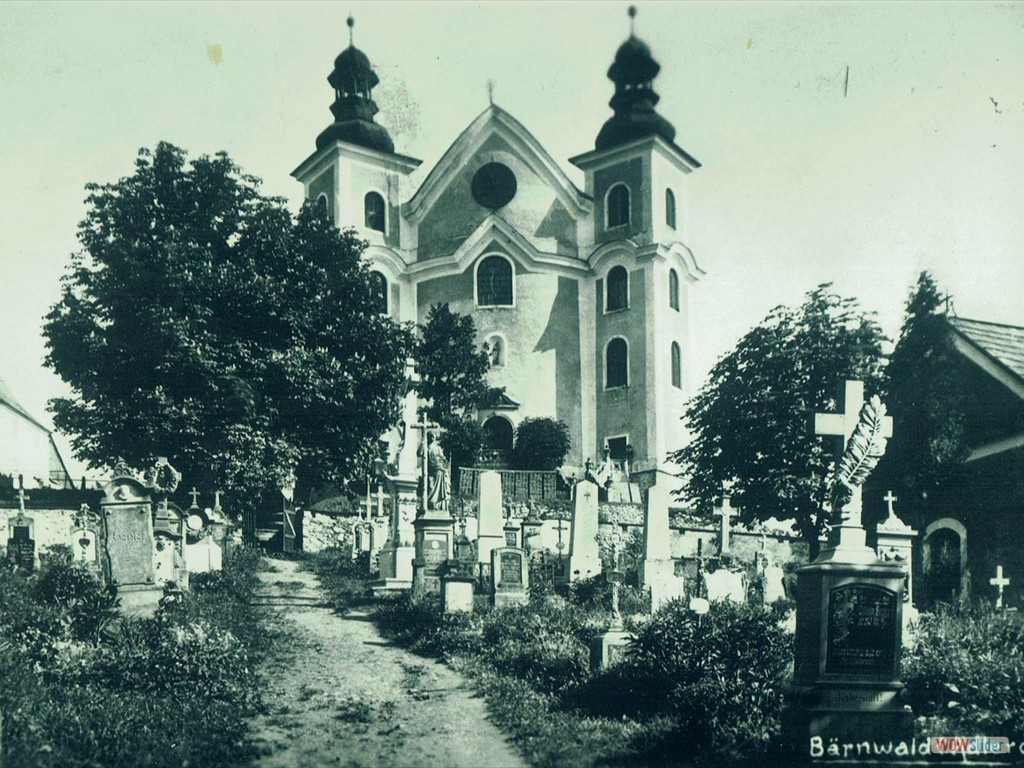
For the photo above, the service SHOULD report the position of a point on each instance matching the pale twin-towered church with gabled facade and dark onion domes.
(581, 296)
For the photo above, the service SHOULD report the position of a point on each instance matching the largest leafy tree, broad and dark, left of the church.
(202, 322)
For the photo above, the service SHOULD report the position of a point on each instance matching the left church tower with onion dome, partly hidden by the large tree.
(356, 174)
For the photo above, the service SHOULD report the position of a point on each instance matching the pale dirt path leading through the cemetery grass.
(345, 697)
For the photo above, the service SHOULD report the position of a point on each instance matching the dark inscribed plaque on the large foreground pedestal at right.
(862, 638)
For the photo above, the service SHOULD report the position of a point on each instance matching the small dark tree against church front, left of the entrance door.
(453, 380)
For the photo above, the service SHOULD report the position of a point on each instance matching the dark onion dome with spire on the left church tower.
(354, 109)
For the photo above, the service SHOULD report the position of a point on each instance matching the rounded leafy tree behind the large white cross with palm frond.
(752, 421)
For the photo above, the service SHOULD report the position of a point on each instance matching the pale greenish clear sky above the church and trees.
(915, 161)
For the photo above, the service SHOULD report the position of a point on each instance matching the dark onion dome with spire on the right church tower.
(633, 73)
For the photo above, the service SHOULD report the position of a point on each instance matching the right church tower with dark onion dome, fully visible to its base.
(637, 177)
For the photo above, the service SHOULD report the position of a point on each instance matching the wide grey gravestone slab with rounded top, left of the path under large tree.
(127, 532)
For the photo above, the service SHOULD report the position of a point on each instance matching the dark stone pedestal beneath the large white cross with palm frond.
(846, 678)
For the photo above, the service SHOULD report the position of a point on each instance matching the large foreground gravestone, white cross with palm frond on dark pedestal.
(849, 608)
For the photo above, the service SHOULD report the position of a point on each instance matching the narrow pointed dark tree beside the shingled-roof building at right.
(927, 394)
